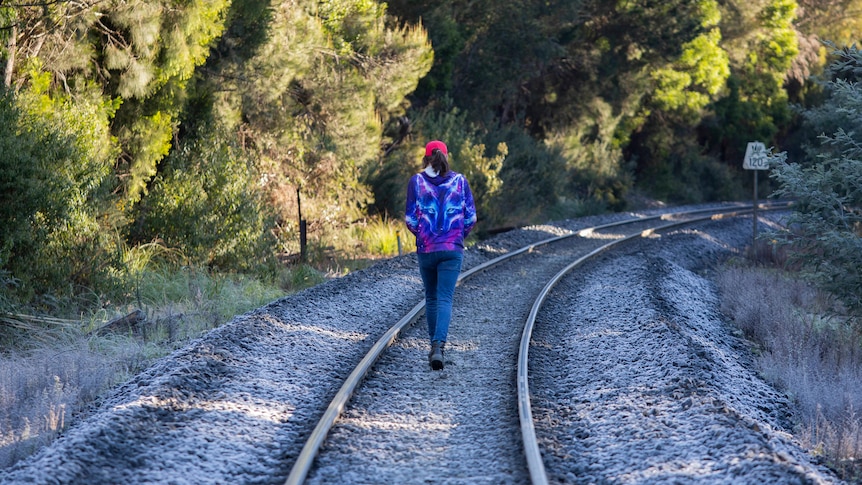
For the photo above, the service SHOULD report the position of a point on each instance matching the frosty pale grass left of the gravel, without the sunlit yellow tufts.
(51, 368)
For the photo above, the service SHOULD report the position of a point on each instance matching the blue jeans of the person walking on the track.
(439, 272)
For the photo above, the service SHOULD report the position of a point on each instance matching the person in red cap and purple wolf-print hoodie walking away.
(440, 213)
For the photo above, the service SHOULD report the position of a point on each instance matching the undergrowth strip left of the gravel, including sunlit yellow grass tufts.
(57, 358)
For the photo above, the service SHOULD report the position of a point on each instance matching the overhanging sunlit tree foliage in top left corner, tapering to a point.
(140, 52)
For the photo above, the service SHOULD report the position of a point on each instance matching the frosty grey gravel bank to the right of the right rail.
(656, 387)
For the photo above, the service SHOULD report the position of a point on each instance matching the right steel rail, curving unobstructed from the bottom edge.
(536, 466)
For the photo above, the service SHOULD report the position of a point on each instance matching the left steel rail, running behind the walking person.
(304, 461)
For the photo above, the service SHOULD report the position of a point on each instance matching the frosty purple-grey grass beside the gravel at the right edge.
(810, 348)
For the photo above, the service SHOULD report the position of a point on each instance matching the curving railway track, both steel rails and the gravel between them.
(406, 423)
